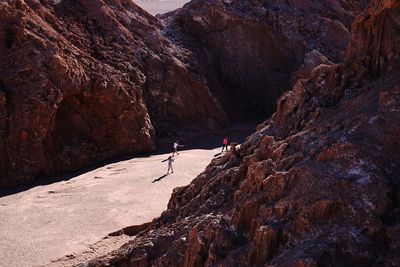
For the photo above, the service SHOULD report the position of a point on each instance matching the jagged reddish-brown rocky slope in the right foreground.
(316, 185)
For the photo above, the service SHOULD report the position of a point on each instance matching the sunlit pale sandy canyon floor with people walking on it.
(47, 222)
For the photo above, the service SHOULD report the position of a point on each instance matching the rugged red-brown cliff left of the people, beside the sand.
(83, 81)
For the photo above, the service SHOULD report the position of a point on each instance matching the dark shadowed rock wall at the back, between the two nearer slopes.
(250, 49)
